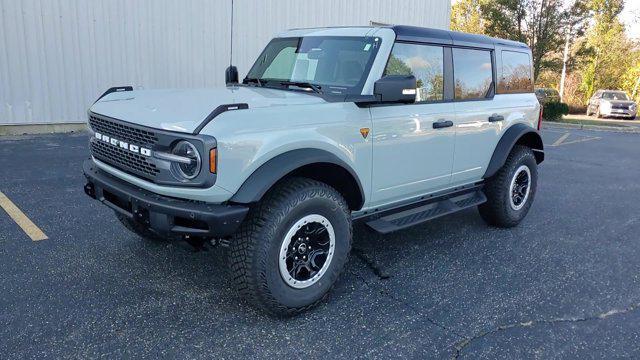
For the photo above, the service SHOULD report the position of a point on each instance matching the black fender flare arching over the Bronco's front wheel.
(269, 173)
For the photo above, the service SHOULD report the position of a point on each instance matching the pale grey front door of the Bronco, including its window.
(413, 144)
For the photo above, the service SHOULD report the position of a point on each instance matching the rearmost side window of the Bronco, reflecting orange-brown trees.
(516, 73)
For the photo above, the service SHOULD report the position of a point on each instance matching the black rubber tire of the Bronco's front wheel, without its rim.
(255, 248)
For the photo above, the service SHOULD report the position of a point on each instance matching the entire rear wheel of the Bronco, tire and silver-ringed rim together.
(510, 192)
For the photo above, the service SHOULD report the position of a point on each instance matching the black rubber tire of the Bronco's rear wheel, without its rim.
(497, 211)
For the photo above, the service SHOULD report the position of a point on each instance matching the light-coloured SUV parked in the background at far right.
(612, 103)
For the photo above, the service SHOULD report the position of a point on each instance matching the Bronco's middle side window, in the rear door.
(472, 73)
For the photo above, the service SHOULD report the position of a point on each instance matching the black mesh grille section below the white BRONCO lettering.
(123, 159)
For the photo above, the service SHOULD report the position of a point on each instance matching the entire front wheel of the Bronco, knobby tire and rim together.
(292, 247)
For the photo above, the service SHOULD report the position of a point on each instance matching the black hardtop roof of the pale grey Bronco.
(420, 34)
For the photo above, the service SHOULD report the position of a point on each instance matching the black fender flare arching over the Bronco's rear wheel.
(518, 133)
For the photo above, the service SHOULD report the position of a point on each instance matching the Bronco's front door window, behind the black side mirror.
(425, 62)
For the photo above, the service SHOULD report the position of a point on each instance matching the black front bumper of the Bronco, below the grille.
(164, 215)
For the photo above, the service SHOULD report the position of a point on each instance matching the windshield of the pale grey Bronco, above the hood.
(331, 64)
